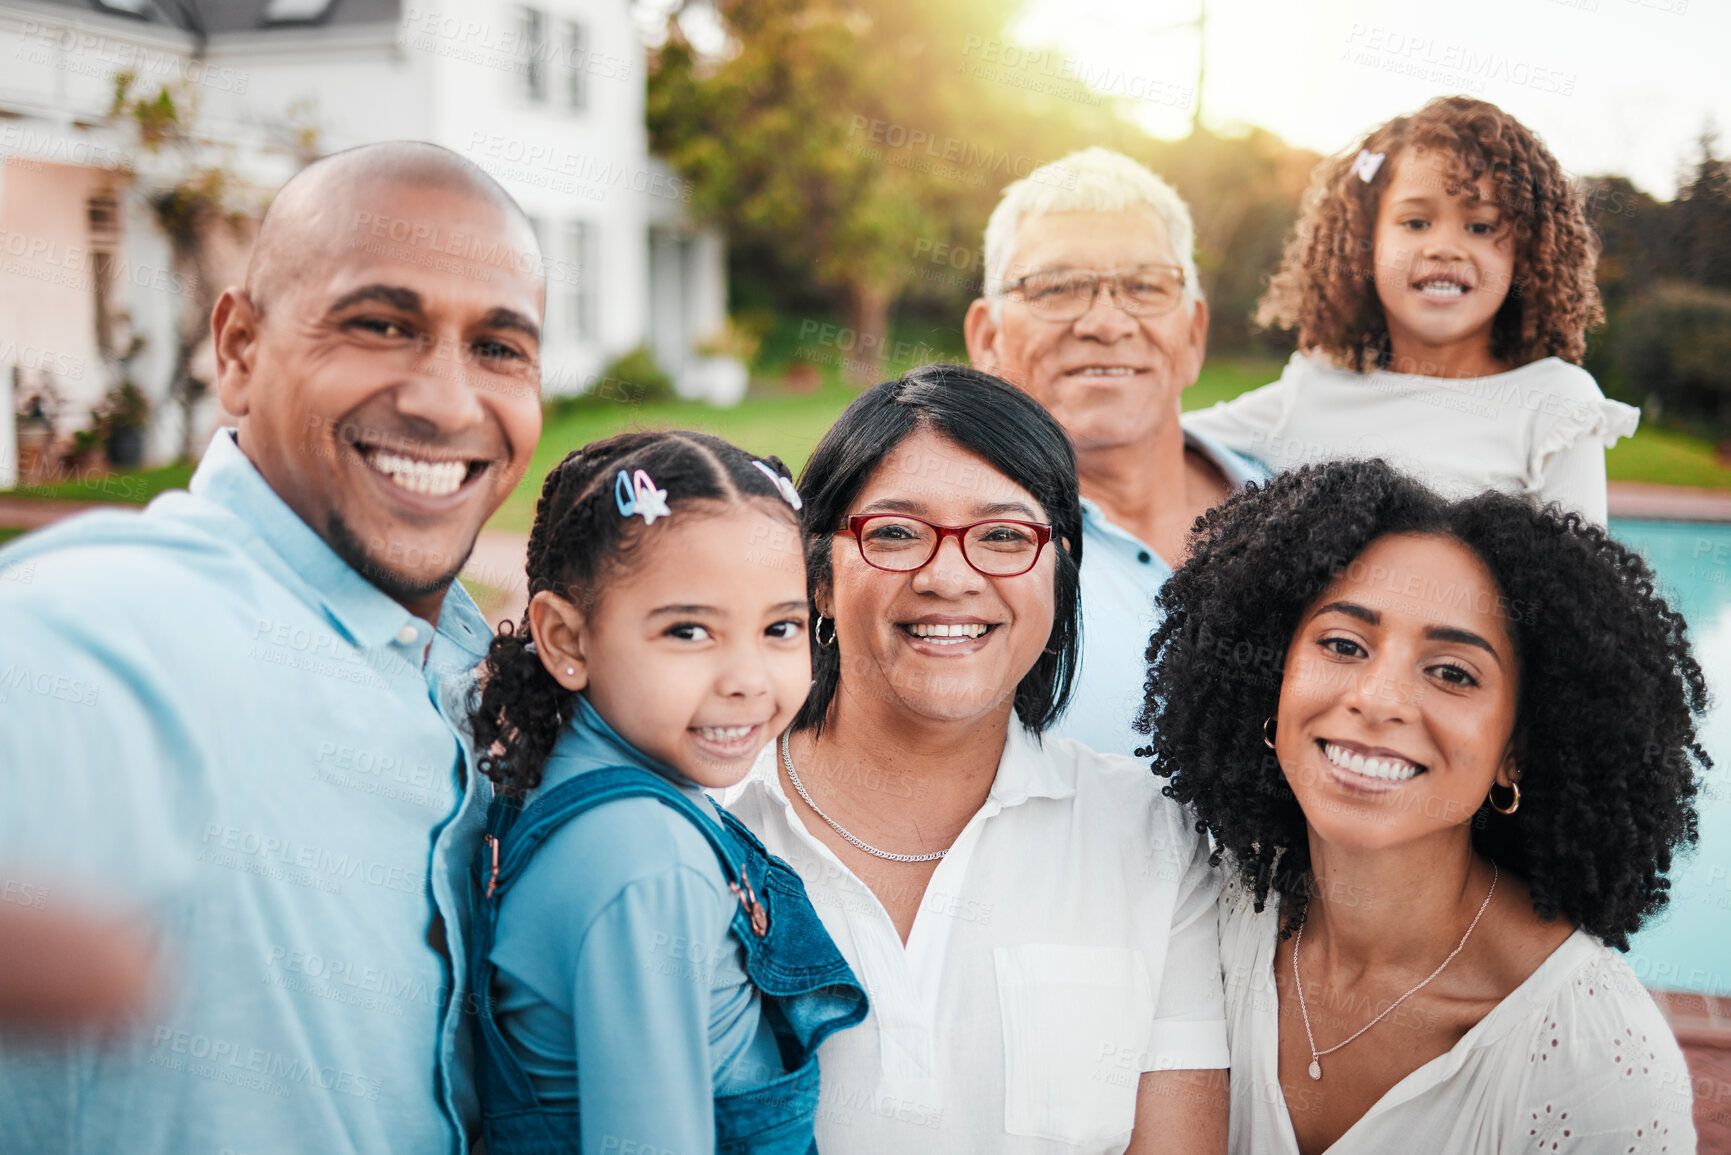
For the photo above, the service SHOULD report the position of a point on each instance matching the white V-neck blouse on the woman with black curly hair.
(1578, 1059)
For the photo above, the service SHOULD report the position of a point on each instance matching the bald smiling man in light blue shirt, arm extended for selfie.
(238, 713)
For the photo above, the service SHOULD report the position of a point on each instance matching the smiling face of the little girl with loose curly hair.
(1445, 266)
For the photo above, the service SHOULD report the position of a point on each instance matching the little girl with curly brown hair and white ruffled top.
(1441, 288)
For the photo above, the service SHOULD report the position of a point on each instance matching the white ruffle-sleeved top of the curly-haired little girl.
(1538, 432)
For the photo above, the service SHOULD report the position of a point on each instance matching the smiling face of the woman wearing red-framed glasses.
(944, 642)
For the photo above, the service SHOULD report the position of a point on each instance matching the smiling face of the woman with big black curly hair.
(1400, 695)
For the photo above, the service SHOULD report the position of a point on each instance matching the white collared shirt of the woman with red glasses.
(1064, 946)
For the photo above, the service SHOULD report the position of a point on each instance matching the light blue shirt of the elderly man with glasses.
(1121, 576)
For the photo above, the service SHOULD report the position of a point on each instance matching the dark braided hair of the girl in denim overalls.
(577, 546)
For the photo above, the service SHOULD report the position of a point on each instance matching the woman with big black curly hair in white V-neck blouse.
(1446, 752)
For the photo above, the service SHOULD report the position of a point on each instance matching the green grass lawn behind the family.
(790, 425)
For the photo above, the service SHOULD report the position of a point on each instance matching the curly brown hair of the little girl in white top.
(1325, 287)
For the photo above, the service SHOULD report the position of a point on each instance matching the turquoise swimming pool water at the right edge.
(1689, 948)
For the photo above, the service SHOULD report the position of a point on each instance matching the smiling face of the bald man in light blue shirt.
(392, 399)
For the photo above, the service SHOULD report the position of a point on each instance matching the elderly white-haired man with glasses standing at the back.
(1093, 307)
